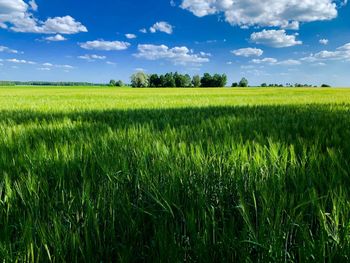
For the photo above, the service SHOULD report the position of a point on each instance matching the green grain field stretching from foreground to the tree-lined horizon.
(173, 175)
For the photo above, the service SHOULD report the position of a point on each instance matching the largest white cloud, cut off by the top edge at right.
(281, 13)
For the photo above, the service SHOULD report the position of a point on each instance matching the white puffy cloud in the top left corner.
(16, 15)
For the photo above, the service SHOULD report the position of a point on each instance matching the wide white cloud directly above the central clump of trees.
(177, 55)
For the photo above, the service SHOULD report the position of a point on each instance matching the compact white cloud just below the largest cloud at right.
(275, 38)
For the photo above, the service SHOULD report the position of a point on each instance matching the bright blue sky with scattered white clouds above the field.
(272, 41)
